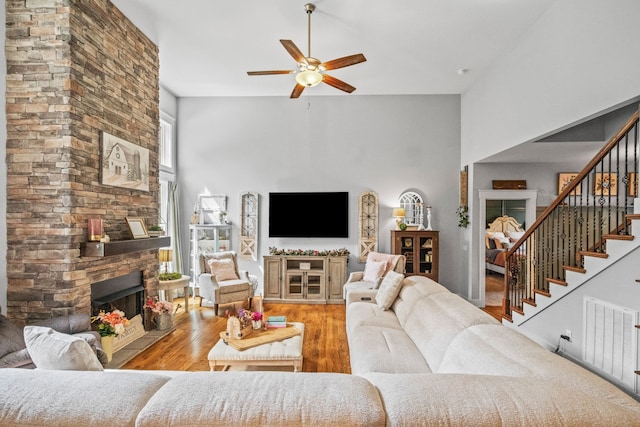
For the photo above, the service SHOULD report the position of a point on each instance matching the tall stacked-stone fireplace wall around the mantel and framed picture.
(74, 68)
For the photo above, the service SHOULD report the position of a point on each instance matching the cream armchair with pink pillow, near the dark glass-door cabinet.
(375, 268)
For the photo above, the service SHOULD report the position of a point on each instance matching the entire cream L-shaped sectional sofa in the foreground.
(432, 359)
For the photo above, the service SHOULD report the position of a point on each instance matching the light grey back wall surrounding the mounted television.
(388, 144)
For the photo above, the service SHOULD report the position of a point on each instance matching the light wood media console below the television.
(308, 279)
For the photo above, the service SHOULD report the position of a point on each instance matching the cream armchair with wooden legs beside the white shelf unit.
(221, 282)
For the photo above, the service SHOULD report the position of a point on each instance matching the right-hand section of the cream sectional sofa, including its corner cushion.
(436, 359)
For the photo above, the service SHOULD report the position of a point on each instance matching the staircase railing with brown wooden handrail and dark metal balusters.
(594, 206)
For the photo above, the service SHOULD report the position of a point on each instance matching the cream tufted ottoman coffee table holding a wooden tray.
(286, 352)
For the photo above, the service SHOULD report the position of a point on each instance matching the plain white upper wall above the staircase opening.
(579, 59)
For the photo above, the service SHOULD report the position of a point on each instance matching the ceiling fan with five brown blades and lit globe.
(311, 70)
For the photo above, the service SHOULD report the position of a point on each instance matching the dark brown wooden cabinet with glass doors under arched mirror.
(421, 249)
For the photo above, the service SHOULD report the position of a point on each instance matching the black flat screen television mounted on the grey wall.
(319, 214)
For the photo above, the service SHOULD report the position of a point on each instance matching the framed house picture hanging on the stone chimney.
(124, 164)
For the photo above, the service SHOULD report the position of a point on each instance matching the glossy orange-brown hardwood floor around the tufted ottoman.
(324, 349)
